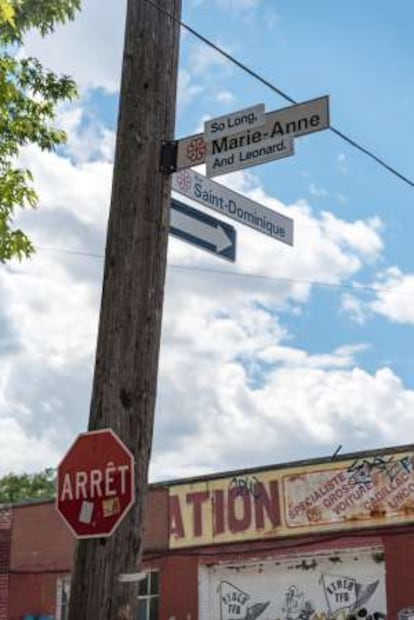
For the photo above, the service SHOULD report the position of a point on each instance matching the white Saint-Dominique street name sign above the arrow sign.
(233, 205)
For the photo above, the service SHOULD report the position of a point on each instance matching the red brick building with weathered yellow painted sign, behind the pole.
(316, 540)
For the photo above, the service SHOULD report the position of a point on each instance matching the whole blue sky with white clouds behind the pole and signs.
(290, 351)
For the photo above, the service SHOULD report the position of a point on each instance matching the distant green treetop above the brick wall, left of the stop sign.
(21, 487)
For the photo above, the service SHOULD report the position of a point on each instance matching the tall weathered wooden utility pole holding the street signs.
(124, 388)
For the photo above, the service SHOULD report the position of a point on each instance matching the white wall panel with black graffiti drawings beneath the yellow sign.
(342, 586)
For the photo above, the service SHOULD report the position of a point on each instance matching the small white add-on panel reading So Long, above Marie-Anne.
(229, 124)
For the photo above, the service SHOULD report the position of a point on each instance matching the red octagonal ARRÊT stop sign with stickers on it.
(95, 484)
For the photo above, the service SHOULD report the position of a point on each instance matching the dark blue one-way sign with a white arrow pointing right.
(202, 230)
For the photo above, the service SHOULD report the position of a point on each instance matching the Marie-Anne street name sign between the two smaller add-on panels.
(293, 121)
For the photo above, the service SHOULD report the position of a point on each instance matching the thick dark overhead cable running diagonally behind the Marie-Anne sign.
(366, 151)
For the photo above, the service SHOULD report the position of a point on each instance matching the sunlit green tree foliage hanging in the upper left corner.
(29, 95)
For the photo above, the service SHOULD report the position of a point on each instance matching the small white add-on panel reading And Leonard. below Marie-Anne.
(250, 155)
